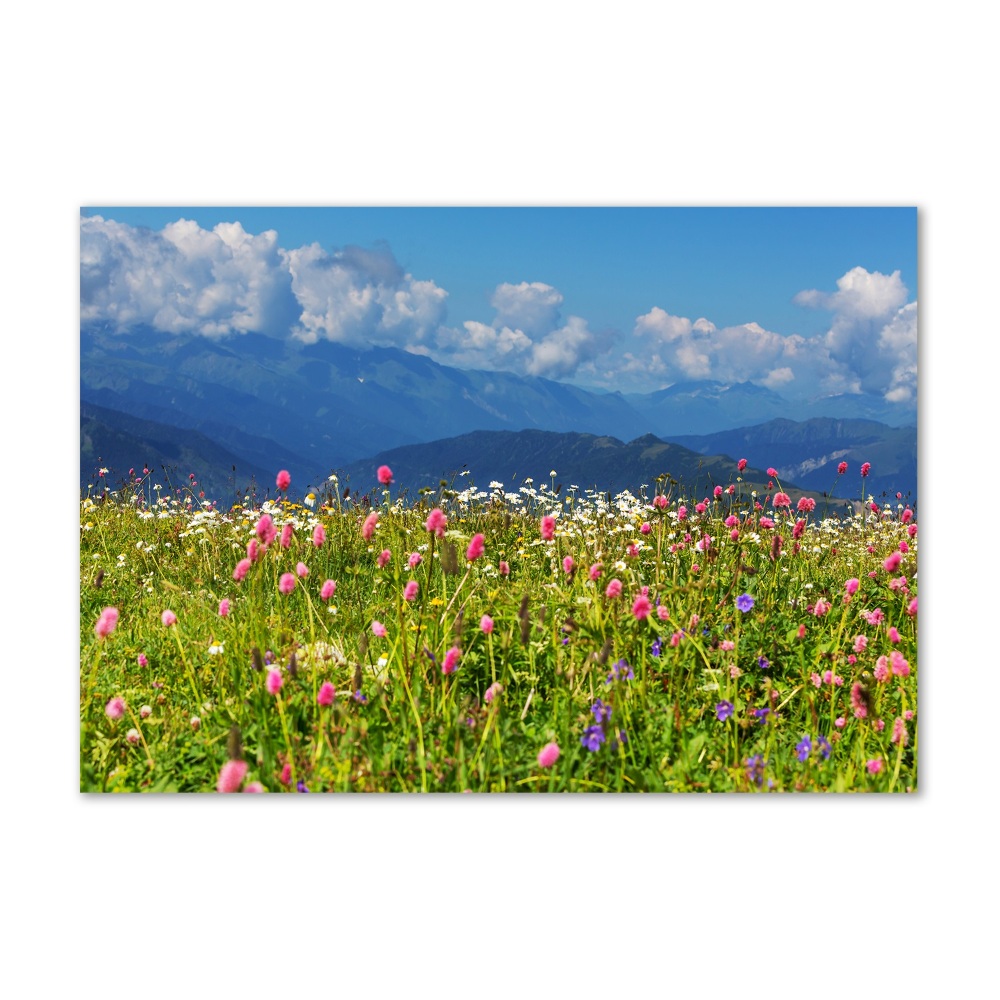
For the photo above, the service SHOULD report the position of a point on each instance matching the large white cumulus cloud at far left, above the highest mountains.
(184, 279)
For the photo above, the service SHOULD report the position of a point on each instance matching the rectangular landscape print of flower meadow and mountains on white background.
(499, 499)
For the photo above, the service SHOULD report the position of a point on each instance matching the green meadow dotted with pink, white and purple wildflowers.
(480, 640)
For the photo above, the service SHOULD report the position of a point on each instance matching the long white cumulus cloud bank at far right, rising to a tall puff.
(871, 345)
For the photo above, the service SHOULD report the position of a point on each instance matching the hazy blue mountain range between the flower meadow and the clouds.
(261, 404)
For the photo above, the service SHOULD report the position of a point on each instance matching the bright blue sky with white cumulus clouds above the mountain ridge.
(596, 296)
